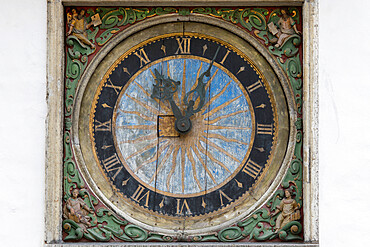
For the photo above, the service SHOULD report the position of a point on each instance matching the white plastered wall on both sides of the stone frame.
(344, 122)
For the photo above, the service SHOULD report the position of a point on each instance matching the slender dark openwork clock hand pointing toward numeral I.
(200, 89)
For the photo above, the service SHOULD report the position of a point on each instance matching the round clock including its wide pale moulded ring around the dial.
(183, 127)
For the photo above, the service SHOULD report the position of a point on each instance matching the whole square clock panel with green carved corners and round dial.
(183, 127)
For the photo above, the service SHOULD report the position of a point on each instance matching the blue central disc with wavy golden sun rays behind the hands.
(201, 160)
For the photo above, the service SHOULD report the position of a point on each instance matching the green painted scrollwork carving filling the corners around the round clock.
(261, 226)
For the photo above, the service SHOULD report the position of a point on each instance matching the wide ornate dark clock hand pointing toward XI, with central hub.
(164, 89)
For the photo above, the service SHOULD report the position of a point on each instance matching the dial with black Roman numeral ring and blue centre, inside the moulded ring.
(214, 163)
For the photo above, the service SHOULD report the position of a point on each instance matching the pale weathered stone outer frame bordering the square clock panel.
(55, 99)
